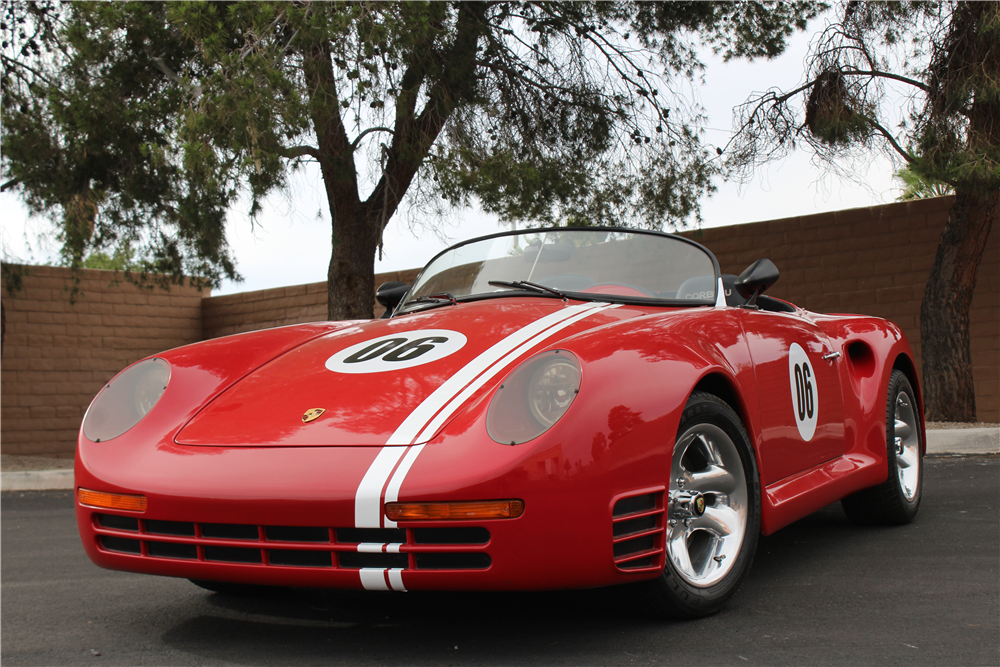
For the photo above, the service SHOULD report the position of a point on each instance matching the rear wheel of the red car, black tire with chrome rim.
(896, 501)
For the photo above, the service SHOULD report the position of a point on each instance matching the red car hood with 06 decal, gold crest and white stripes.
(393, 381)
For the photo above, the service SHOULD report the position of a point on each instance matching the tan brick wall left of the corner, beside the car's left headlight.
(57, 355)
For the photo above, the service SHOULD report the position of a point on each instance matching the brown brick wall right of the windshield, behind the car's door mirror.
(873, 261)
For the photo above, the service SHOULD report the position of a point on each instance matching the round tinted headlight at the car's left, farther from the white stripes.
(126, 399)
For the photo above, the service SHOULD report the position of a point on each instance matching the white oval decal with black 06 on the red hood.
(396, 351)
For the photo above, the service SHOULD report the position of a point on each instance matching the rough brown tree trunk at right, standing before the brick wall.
(949, 391)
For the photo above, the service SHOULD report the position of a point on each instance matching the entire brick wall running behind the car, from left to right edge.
(56, 355)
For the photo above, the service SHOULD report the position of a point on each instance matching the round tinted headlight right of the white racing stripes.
(533, 397)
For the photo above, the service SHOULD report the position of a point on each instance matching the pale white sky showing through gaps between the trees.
(290, 242)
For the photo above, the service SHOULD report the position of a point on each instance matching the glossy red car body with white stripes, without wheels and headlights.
(243, 483)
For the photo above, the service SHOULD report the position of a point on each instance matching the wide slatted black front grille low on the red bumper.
(450, 548)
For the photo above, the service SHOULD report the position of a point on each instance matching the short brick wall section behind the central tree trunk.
(262, 309)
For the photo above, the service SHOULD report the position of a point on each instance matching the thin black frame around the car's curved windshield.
(408, 308)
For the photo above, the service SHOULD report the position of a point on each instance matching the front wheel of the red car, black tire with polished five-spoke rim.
(695, 583)
